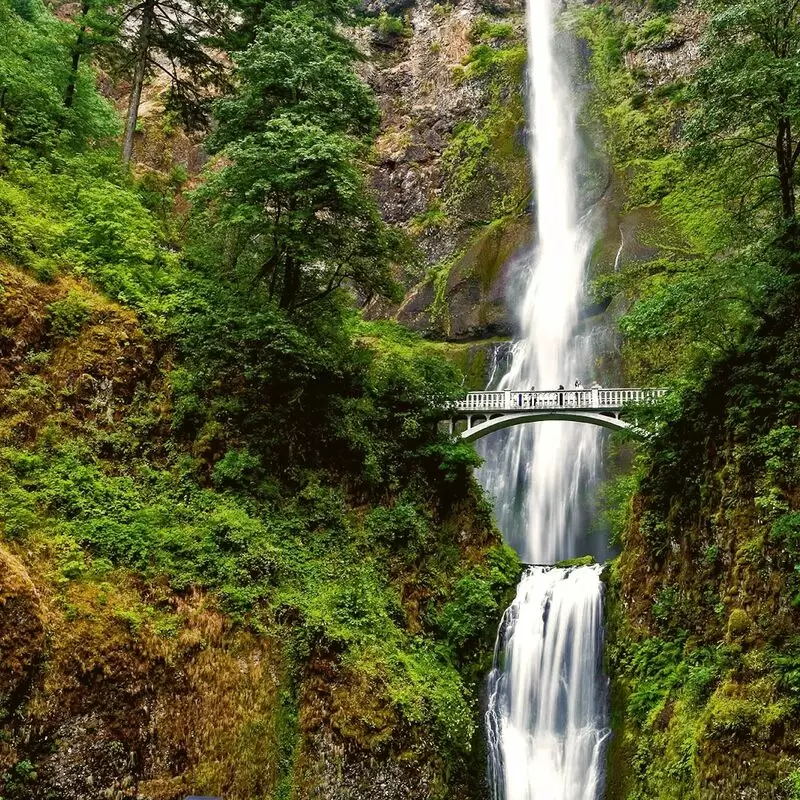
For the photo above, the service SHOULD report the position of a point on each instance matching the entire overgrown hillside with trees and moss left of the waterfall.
(236, 557)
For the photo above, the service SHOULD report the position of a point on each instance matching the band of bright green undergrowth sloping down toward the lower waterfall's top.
(306, 555)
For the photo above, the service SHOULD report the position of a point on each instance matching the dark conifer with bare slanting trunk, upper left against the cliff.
(177, 38)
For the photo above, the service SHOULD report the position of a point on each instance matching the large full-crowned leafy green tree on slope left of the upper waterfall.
(290, 200)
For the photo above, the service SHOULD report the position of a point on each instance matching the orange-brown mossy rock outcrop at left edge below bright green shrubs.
(64, 347)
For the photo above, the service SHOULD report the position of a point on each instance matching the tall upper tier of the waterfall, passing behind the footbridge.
(542, 480)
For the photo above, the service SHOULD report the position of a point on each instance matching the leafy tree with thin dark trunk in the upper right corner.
(748, 104)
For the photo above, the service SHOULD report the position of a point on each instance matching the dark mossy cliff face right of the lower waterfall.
(702, 636)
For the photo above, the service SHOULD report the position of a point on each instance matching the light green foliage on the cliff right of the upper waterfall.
(718, 265)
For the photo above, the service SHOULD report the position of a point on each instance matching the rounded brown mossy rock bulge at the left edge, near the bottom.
(21, 630)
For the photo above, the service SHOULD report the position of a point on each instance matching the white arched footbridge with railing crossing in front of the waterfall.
(486, 412)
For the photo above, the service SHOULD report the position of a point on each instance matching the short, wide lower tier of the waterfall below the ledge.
(546, 707)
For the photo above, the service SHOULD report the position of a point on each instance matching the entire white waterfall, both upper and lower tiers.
(546, 714)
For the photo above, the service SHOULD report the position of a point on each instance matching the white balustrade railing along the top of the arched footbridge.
(511, 401)
